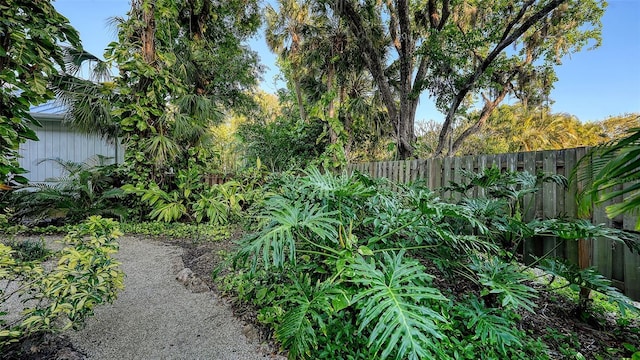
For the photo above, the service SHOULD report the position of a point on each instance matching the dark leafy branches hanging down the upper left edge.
(30, 33)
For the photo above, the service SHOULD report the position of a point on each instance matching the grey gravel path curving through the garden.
(156, 317)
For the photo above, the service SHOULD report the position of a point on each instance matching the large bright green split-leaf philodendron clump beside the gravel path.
(312, 227)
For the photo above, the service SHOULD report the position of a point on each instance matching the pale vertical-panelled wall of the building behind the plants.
(58, 141)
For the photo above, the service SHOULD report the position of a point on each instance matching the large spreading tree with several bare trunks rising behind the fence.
(465, 54)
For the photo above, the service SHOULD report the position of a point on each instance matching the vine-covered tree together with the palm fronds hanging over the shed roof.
(169, 90)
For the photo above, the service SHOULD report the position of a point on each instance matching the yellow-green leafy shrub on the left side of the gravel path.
(86, 275)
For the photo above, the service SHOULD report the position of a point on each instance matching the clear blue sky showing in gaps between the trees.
(592, 84)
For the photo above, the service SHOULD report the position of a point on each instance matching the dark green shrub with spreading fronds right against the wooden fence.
(504, 209)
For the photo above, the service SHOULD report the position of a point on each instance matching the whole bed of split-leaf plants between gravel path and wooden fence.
(350, 267)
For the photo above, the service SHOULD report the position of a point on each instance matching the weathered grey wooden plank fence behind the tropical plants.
(613, 260)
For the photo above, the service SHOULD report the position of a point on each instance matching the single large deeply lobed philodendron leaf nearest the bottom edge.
(394, 300)
